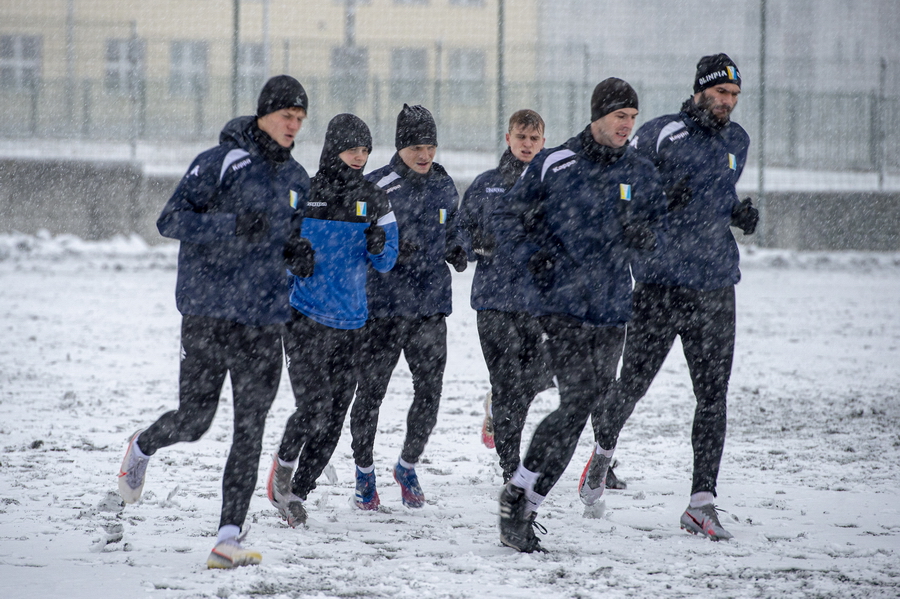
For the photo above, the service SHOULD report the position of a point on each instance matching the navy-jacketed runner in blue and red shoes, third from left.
(408, 305)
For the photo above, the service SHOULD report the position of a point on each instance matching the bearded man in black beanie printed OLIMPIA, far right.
(687, 288)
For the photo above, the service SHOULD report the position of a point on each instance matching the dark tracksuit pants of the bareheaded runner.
(516, 359)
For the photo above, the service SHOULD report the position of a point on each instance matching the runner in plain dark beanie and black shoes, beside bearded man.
(576, 219)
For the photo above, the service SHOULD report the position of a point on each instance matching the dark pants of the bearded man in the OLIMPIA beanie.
(705, 321)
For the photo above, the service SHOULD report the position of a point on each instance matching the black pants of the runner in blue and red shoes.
(423, 341)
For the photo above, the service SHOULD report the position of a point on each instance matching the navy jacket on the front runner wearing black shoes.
(574, 208)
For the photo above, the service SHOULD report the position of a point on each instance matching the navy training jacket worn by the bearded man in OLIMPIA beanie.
(700, 251)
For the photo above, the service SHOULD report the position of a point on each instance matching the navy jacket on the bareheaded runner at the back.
(497, 284)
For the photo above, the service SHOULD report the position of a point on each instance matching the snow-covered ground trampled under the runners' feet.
(810, 482)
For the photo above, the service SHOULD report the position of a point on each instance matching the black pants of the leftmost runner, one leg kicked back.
(212, 348)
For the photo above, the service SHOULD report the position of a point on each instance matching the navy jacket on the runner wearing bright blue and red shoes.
(425, 207)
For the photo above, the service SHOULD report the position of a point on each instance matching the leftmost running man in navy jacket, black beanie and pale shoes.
(234, 213)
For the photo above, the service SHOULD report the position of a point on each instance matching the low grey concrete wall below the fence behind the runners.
(98, 200)
